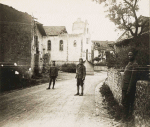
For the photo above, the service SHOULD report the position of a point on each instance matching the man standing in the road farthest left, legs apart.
(53, 73)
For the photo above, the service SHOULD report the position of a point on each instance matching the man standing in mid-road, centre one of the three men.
(80, 75)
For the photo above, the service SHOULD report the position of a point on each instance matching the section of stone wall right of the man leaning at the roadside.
(142, 104)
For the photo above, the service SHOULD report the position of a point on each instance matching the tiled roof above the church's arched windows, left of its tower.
(55, 30)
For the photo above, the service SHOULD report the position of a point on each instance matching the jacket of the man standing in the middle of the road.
(80, 71)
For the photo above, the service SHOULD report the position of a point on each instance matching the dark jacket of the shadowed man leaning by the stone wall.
(130, 76)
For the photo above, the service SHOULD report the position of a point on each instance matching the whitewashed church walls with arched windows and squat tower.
(71, 53)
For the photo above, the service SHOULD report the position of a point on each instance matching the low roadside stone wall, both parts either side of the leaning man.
(142, 100)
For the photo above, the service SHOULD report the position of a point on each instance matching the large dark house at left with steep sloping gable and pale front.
(20, 39)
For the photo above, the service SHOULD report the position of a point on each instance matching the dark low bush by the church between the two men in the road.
(71, 68)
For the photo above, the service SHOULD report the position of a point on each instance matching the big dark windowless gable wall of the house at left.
(15, 37)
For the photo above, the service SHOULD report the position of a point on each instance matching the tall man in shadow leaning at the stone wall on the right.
(129, 85)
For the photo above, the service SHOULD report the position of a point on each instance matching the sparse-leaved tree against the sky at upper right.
(124, 15)
